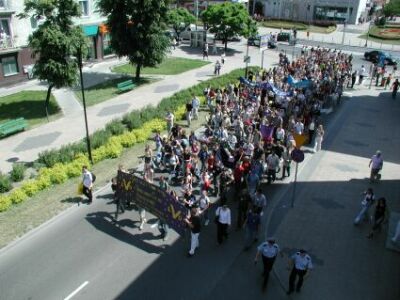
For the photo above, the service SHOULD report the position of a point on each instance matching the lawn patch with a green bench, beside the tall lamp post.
(107, 90)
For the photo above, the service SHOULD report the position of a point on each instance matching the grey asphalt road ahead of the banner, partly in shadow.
(83, 255)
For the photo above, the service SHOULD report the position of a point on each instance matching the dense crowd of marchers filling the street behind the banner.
(251, 129)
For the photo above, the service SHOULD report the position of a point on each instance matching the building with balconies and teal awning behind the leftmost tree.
(15, 55)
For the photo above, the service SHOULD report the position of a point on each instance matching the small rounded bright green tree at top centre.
(229, 19)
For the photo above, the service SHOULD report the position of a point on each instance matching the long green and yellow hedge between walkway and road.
(135, 127)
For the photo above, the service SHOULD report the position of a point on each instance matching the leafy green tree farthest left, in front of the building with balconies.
(54, 41)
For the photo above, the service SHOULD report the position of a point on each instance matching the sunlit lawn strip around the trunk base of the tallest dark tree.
(170, 66)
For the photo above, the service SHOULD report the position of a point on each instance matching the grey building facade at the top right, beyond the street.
(349, 11)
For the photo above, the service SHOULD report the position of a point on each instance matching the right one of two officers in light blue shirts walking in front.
(301, 264)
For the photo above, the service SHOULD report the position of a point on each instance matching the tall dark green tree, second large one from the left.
(137, 31)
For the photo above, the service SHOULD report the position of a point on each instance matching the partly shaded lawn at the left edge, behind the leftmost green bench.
(29, 105)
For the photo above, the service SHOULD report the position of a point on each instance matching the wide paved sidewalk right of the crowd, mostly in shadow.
(347, 265)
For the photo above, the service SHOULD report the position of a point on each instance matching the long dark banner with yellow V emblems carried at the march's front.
(153, 199)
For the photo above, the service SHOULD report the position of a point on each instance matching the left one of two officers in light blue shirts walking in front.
(269, 251)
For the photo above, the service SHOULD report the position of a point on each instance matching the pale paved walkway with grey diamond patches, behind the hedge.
(26, 146)
